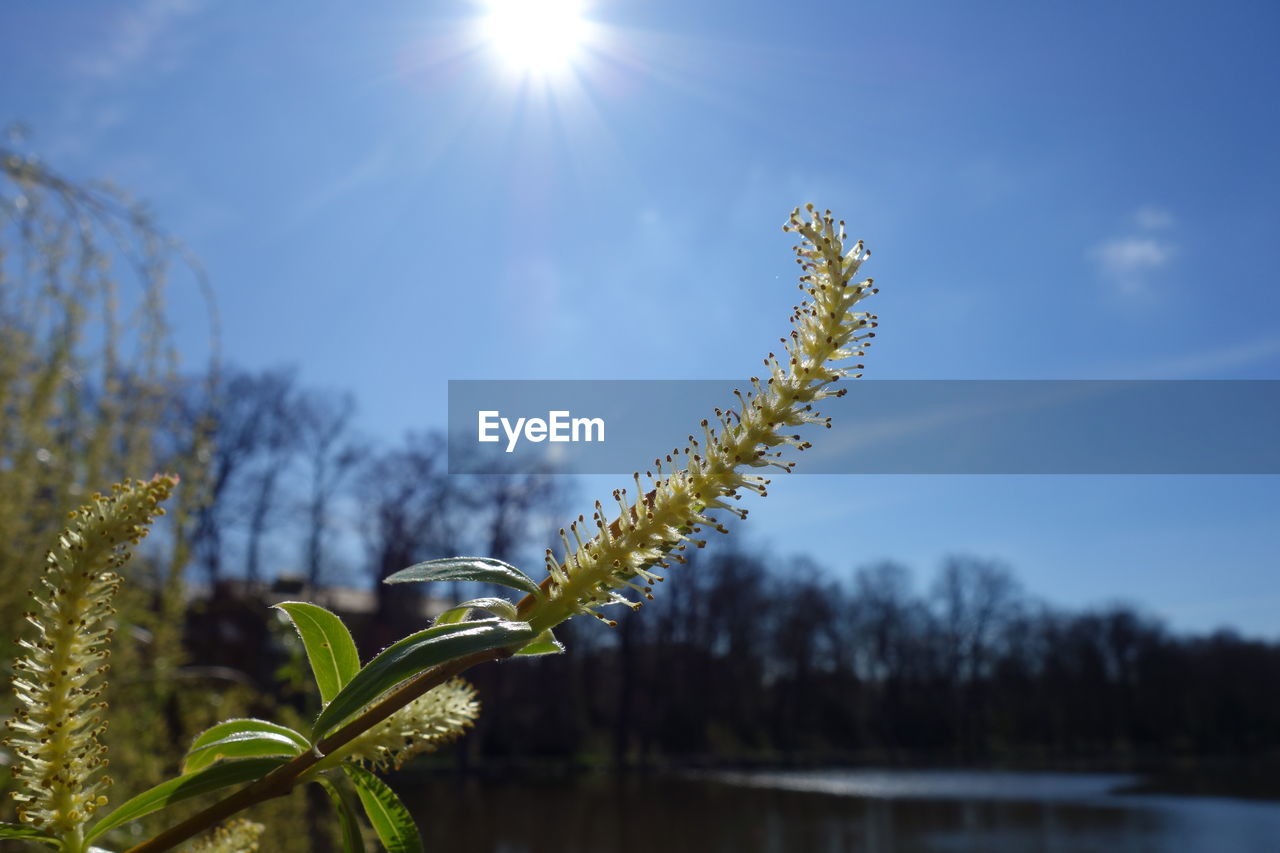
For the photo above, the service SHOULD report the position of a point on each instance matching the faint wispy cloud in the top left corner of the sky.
(135, 38)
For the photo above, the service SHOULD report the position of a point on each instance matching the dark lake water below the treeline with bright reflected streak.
(867, 811)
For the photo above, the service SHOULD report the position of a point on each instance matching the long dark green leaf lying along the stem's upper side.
(415, 654)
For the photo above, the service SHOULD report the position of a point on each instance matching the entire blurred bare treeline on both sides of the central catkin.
(738, 658)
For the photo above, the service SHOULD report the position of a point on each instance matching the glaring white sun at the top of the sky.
(536, 37)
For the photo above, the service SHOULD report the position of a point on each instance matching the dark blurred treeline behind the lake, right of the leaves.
(738, 662)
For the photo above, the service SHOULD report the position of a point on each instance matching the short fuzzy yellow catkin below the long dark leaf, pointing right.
(435, 719)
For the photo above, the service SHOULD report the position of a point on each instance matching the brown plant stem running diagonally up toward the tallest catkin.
(281, 782)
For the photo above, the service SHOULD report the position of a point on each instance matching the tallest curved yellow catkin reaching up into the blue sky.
(826, 331)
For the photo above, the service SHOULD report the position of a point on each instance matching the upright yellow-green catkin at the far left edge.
(56, 732)
